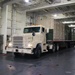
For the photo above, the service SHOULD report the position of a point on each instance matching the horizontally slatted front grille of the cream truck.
(18, 41)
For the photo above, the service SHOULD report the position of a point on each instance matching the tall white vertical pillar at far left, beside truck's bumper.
(4, 26)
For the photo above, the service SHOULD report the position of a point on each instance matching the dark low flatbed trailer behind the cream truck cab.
(60, 44)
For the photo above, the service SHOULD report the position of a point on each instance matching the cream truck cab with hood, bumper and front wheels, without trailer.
(33, 41)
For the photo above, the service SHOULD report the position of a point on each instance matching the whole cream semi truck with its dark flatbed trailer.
(35, 40)
